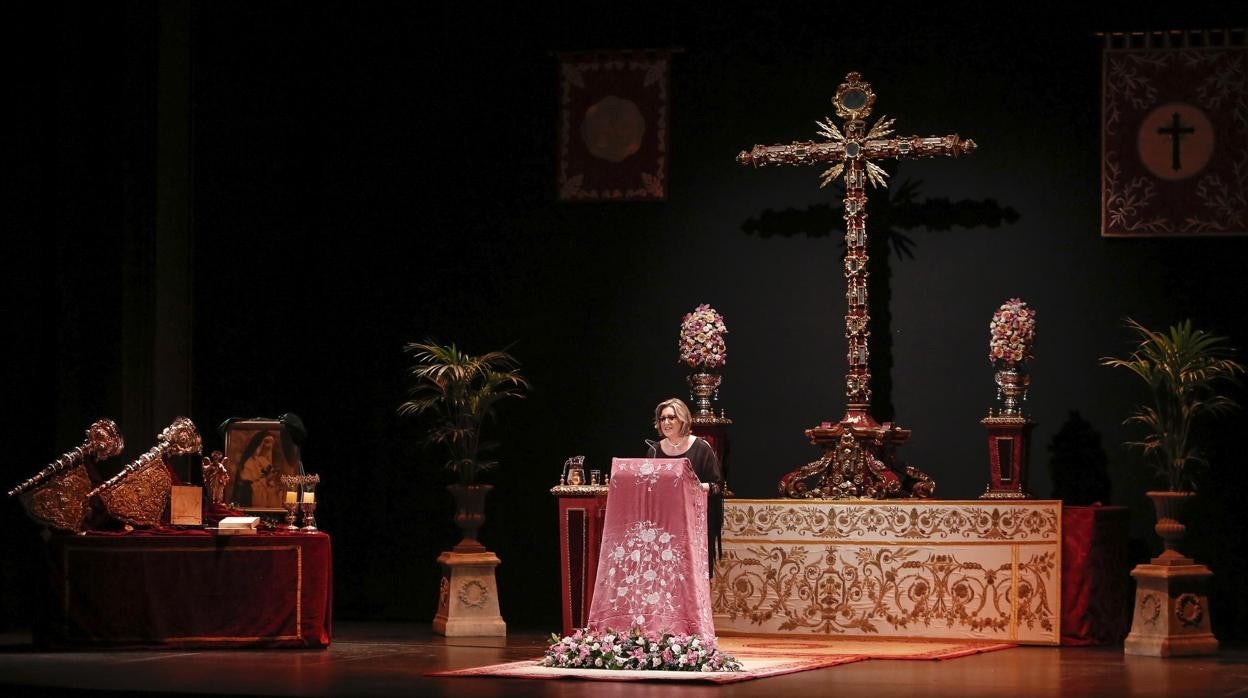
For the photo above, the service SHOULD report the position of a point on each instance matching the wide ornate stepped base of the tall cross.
(858, 463)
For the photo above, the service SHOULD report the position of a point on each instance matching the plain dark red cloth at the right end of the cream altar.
(1094, 575)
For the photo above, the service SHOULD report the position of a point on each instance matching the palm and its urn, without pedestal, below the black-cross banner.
(1185, 371)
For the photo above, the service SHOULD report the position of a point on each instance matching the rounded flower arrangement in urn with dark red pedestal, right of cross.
(1013, 334)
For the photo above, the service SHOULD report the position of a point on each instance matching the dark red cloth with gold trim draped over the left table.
(189, 589)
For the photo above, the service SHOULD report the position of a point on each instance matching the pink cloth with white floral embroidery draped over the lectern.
(653, 568)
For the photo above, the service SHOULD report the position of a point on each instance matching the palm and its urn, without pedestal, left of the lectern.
(460, 391)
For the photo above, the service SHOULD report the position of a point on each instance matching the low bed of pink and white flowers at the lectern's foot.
(636, 651)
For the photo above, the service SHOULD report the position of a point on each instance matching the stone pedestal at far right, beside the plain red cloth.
(1172, 611)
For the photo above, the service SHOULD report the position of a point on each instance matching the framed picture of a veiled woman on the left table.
(260, 453)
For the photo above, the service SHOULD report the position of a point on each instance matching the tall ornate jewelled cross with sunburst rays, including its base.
(853, 153)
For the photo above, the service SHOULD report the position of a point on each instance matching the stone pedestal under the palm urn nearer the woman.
(469, 596)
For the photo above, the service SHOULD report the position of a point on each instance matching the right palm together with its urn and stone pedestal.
(1185, 370)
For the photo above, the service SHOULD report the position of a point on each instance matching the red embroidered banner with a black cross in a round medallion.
(1175, 138)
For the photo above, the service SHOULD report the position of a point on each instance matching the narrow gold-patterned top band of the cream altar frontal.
(889, 523)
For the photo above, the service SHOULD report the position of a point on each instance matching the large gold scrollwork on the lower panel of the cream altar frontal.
(864, 589)
